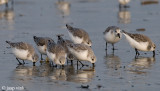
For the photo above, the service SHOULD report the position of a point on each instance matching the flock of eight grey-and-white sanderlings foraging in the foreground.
(78, 48)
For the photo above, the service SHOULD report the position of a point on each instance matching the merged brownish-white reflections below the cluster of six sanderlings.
(68, 73)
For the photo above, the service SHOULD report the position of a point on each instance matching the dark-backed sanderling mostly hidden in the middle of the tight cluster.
(64, 43)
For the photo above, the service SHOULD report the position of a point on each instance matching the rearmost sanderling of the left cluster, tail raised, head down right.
(78, 36)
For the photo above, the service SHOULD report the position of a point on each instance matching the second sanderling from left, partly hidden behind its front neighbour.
(41, 43)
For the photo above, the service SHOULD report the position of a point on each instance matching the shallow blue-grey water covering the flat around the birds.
(118, 71)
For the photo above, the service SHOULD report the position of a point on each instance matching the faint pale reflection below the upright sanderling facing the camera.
(113, 64)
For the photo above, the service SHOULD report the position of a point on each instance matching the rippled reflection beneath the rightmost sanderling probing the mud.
(141, 64)
